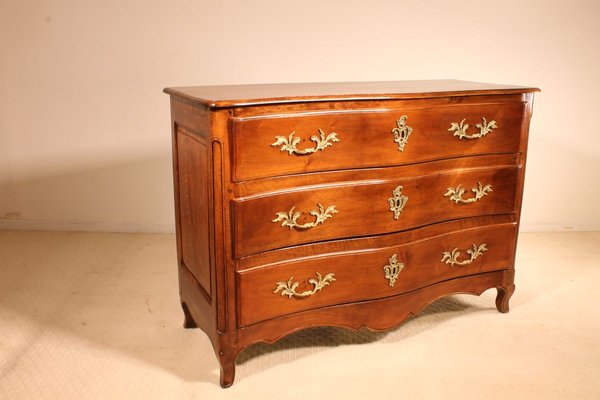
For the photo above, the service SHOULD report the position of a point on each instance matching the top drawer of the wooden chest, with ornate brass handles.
(283, 144)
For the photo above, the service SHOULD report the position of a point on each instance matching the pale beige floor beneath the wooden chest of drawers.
(97, 316)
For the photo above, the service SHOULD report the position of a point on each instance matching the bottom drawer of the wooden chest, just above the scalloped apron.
(296, 285)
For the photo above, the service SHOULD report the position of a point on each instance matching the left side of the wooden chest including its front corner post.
(199, 167)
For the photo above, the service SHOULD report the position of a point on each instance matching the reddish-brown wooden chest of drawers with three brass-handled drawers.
(345, 204)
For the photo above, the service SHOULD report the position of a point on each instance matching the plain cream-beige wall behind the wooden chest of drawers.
(84, 126)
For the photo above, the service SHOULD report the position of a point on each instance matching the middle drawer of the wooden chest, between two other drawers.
(309, 214)
